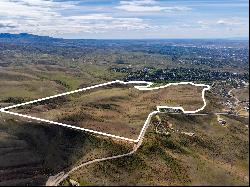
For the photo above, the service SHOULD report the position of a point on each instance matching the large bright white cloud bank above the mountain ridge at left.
(46, 17)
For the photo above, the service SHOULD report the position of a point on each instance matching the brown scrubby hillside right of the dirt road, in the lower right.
(215, 155)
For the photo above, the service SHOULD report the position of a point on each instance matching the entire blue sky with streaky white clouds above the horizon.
(126, 19)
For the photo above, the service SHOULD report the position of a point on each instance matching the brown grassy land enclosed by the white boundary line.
(116, 109)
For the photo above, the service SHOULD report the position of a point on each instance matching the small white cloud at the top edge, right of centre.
(148, 6)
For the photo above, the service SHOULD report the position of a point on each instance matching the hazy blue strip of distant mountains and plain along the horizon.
(44, 42)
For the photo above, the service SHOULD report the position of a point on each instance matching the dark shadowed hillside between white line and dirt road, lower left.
(30, 152)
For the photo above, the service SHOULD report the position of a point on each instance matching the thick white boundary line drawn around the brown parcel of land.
(142, 132)
